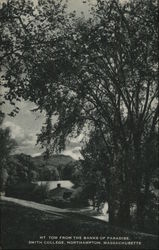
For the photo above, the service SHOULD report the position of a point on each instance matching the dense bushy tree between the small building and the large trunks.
(95, 169)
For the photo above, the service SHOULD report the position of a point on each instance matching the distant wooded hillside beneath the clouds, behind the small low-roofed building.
(25, 168)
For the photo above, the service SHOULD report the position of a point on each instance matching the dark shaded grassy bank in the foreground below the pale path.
(22, 227)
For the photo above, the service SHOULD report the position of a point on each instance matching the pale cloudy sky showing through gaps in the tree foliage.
(26, 125)
